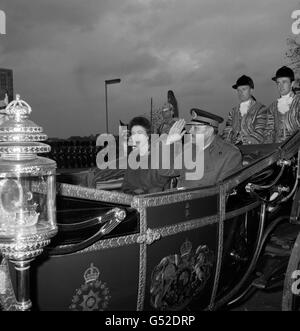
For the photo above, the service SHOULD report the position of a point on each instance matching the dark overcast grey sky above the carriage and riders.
(61, 52)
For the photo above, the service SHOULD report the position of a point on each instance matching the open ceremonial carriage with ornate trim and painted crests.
(192, 249)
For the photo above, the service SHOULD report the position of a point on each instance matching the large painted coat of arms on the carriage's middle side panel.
(178, 278)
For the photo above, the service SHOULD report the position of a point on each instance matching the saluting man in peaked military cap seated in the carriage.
(220, 158)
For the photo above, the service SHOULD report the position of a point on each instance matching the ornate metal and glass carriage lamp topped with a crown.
(27, 194)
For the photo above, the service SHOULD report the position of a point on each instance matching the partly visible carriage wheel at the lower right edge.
(291, 289)
